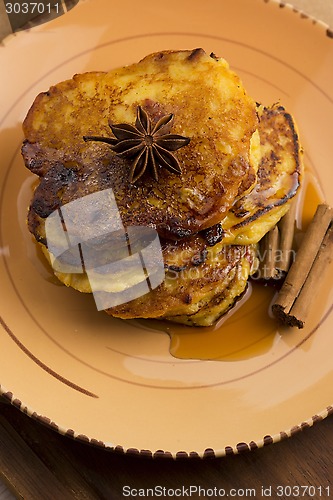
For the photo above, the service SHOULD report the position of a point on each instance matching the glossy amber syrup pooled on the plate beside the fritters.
(249, 329)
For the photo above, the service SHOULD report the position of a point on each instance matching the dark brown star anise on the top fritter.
(148, 145)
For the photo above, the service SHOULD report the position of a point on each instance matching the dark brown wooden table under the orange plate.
(37, 463)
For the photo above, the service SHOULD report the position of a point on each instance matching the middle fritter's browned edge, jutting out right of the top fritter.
(279, 177)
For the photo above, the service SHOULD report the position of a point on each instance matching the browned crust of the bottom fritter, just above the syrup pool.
(212, 286)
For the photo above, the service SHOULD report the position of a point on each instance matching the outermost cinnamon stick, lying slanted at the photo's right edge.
(293, 301)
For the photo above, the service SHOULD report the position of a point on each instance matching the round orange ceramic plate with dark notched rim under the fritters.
(117, 384)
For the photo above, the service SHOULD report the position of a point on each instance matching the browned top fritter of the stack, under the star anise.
(209, 105)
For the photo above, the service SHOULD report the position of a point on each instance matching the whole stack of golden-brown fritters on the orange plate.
(230, 181)
